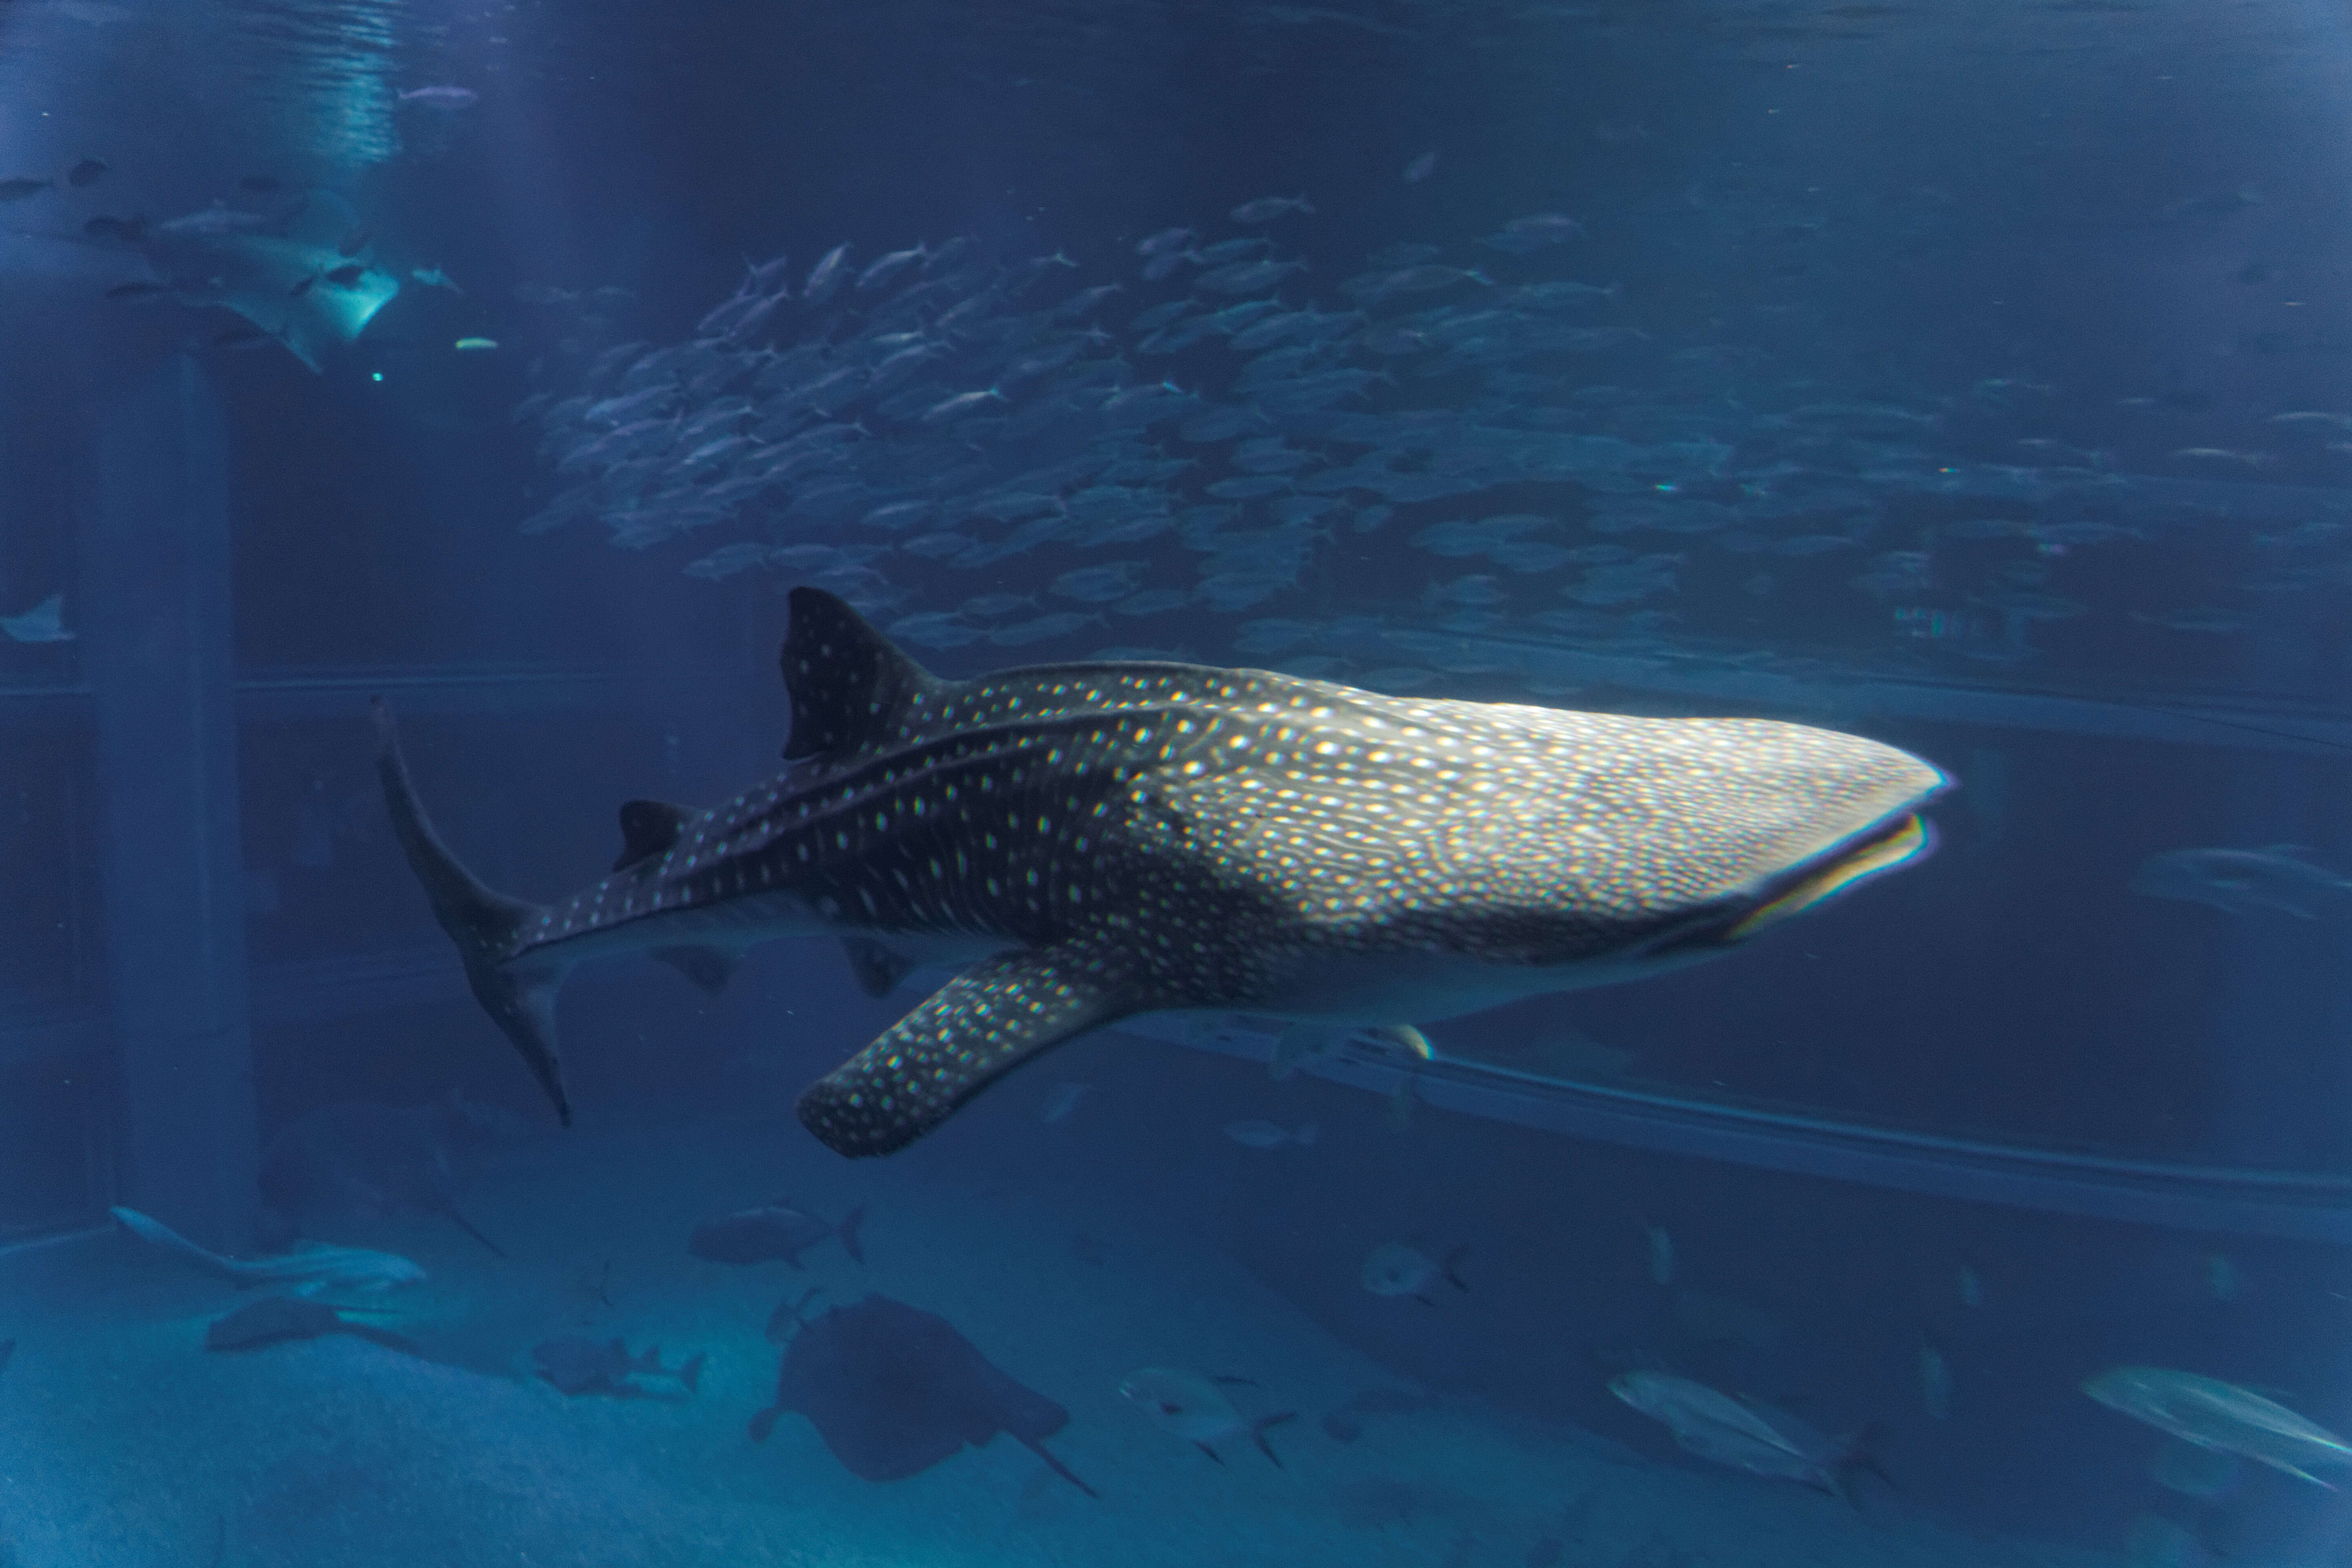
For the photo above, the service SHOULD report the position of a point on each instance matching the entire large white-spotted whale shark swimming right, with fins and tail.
(1100, 840)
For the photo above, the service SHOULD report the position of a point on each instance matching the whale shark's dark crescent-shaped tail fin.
(519, 998)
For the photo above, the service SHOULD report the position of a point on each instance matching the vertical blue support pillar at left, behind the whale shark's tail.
(159, 657)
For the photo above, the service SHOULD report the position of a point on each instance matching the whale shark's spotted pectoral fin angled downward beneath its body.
(968, 1036)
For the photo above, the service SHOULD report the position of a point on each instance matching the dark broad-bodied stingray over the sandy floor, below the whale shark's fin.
(897, 1391)
